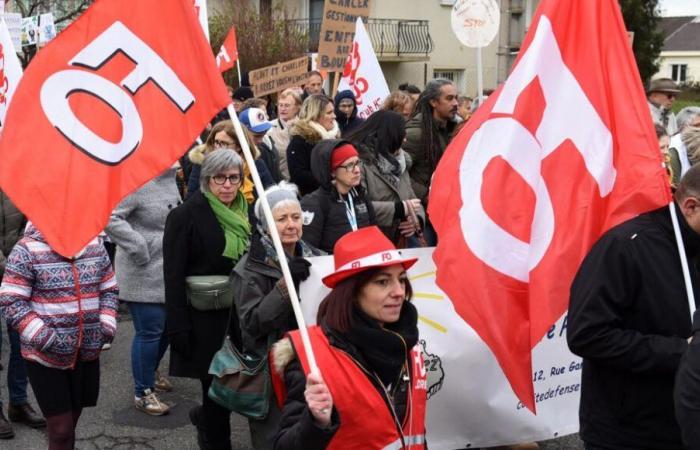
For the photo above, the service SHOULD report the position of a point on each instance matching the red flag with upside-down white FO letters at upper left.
(106, 106)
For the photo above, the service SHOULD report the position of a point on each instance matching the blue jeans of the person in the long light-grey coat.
(149, 343)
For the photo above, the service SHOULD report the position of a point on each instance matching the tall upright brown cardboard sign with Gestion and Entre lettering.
(338, 31)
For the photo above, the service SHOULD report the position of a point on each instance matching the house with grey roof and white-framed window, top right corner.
(680, 56)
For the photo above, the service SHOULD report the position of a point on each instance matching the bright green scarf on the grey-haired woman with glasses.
(234, 221)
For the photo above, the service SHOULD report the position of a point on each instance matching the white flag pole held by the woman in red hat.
(296, 306)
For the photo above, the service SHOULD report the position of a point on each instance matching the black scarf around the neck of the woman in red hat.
(383, 349)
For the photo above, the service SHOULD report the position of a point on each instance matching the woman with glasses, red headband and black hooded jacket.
(340, 204)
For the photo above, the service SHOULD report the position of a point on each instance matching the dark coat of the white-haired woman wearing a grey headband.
(261, 298)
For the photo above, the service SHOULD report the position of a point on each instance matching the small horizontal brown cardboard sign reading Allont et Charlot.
(279, 77)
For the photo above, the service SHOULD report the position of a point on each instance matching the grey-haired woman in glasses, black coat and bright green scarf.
(204, 238)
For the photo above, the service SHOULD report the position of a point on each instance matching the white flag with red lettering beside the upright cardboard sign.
(363, 75)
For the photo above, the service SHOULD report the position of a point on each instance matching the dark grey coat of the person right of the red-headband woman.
(385, 195)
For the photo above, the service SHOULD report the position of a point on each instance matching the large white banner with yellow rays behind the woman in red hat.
(471, 404)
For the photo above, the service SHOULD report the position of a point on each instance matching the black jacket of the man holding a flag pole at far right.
(629, 320)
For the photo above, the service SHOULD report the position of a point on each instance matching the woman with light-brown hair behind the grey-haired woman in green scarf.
(222, 135)
